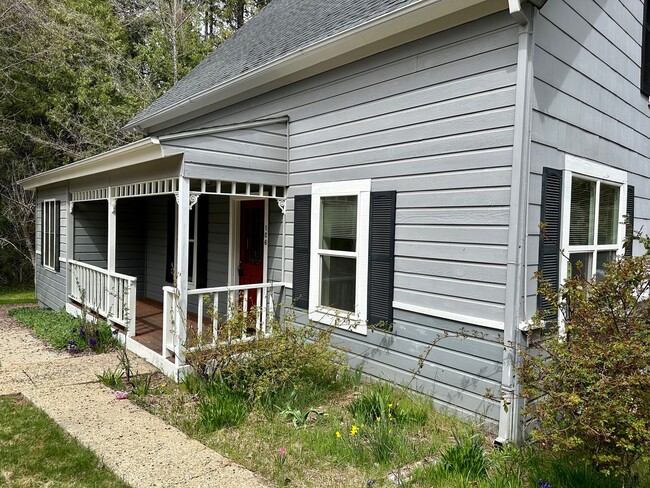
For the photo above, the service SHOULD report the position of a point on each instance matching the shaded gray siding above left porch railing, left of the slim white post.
(91, 233)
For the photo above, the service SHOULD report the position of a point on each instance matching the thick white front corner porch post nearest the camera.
(183, 201)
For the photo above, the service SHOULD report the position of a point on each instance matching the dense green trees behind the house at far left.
(73, 72)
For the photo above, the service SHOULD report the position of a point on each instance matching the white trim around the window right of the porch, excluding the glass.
(356, 321)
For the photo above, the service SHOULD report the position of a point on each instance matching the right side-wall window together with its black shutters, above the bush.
(584, 209)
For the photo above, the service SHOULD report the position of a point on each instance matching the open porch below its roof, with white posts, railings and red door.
(164, 260)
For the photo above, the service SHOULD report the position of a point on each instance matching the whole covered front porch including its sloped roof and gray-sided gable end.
(166, 240)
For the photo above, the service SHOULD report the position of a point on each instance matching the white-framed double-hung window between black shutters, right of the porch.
(339, 253)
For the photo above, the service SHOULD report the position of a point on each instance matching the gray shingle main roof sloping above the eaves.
(282, 27)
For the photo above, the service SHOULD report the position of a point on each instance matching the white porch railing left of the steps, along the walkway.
(111, 295)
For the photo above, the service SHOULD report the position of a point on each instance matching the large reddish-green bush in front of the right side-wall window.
(588, 390)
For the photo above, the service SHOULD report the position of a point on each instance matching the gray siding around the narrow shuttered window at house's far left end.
(51, 286)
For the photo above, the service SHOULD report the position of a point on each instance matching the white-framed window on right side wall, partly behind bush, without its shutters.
(594, 206)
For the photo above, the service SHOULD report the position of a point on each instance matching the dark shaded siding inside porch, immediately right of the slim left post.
(131, 239)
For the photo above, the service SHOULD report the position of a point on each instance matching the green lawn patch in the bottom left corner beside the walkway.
(36, 452)
